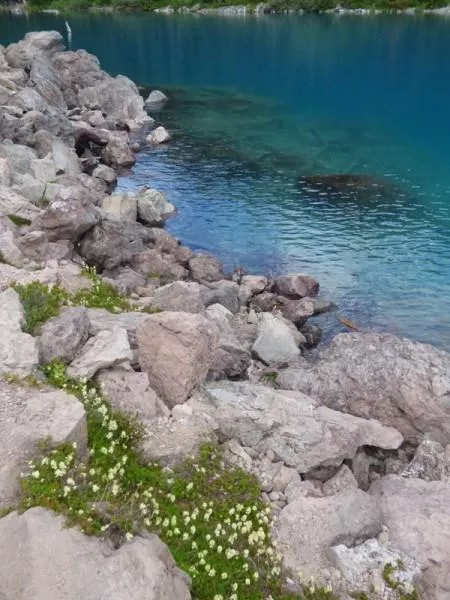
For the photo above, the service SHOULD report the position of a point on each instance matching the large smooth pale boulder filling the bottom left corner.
(38, 562)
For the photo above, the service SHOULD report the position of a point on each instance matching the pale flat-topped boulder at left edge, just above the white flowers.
(27, 416)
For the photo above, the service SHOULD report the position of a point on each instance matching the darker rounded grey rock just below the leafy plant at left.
(62, 336)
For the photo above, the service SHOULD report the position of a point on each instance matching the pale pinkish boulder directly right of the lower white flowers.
(308, 527)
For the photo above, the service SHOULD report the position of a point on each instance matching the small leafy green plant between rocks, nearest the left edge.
(40, 303)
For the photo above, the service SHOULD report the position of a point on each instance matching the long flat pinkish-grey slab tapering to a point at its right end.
(291, 425)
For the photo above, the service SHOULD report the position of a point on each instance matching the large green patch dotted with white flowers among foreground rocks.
(208, 512)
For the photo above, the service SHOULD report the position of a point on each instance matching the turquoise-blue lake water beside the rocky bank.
(258, 105)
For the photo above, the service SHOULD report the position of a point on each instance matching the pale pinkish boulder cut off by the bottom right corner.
(417, 518)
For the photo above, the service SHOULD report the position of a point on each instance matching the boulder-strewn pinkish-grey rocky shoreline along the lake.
(351, 449)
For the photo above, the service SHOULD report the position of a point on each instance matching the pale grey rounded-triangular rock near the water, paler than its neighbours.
(275, 344)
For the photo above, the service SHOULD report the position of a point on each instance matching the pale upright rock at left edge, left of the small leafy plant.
(18, 350)
